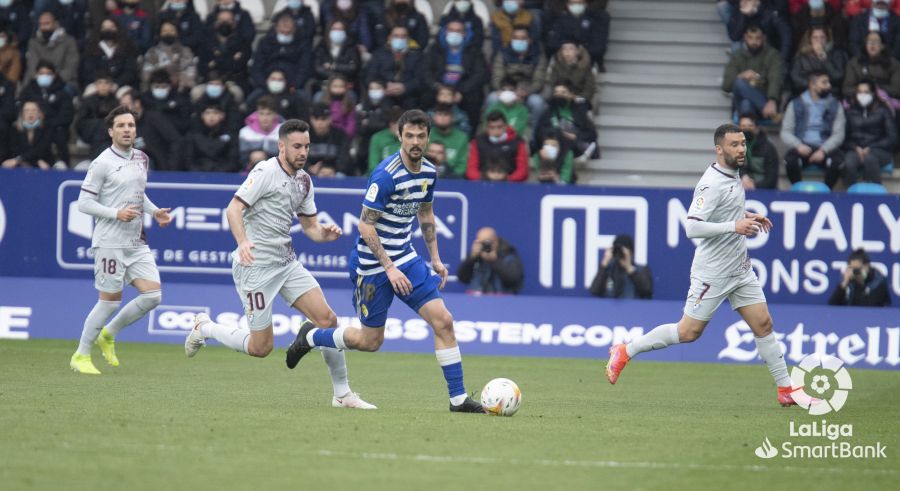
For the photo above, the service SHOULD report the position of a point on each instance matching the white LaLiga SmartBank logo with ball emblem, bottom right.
(823, 384)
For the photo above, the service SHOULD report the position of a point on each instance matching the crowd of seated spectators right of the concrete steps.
(828, 72)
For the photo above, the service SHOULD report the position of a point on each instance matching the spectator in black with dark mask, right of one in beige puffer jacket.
(225, 52)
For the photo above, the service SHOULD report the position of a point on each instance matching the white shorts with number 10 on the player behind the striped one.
(257, 286)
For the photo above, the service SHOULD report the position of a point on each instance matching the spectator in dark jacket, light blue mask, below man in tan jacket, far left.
(57, 110)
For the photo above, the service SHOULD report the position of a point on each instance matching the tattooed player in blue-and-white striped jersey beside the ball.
(383, 264)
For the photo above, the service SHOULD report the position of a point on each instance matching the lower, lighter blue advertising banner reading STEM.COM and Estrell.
(485, 325)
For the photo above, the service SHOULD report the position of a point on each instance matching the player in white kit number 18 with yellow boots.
(113, 193)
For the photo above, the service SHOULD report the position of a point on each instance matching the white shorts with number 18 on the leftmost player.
(113, 268)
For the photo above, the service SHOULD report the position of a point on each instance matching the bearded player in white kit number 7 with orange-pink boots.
(721, 267)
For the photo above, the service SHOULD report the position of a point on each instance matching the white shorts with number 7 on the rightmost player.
(705, 296)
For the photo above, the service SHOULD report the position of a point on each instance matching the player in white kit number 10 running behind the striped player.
(265, 265)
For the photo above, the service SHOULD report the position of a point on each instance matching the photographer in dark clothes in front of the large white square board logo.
(618, 276)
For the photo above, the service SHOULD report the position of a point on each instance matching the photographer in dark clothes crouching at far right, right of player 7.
(862, 285)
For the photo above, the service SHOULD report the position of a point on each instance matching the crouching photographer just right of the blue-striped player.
(493, 265)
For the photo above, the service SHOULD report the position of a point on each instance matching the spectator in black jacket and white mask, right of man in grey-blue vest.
(871, 135)
